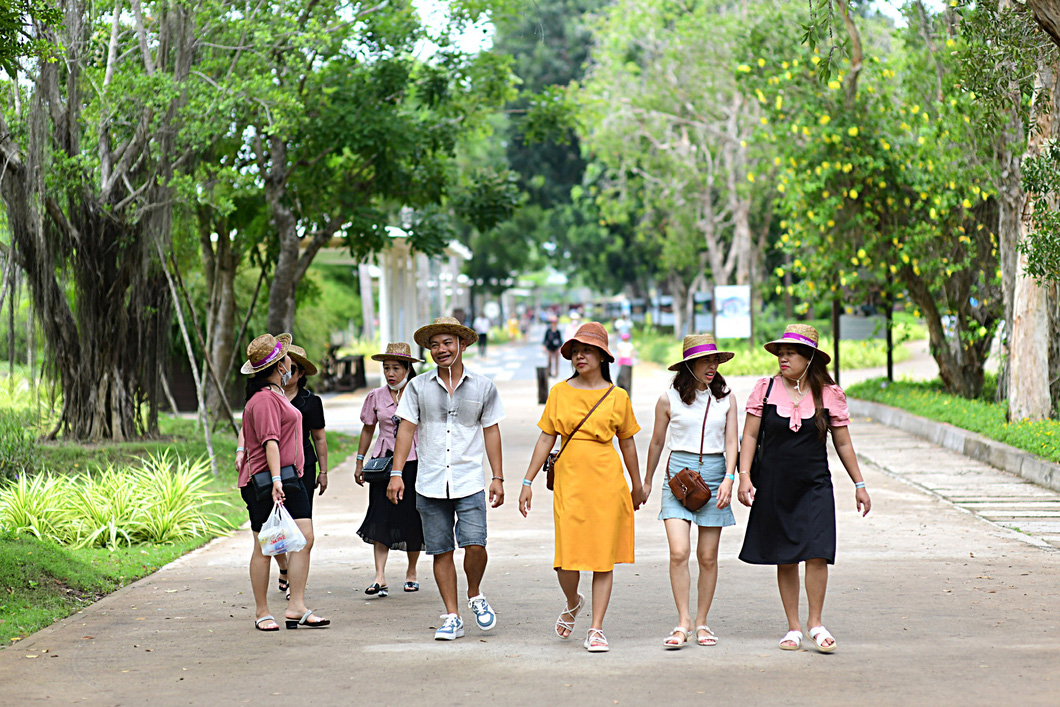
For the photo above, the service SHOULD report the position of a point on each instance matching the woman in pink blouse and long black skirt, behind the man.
(388, 526)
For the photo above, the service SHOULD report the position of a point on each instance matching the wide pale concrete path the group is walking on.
(930, 605)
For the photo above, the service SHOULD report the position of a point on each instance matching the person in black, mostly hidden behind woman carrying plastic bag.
(314, 441)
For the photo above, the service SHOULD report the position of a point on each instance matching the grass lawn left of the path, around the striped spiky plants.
(42, 582)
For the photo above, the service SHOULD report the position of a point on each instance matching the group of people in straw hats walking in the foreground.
(436, 429)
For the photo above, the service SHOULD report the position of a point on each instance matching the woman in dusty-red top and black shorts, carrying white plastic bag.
(273, 431)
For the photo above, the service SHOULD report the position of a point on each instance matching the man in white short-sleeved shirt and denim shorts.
(456, 414)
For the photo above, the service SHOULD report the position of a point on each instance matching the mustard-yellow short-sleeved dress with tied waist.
(592, 505)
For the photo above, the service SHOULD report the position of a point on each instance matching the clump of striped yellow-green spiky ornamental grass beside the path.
(164, 500)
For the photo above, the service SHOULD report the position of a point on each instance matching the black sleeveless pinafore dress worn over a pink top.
(793, 517)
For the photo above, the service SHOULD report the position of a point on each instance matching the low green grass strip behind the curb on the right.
(981, 415)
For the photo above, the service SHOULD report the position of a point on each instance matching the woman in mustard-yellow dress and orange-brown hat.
(593, 507)
